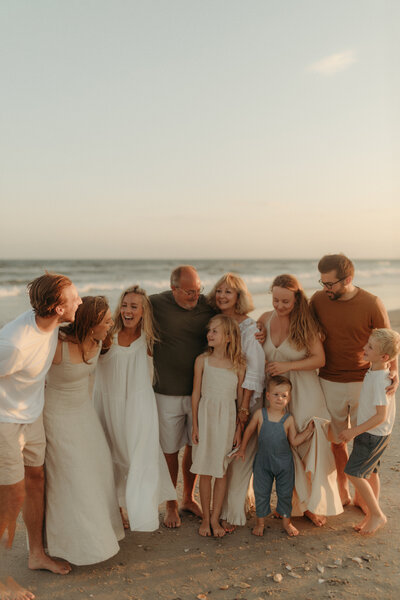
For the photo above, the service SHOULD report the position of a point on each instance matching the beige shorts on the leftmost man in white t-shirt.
(21, 445)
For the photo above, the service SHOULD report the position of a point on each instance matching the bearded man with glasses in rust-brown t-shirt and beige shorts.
(347, 315)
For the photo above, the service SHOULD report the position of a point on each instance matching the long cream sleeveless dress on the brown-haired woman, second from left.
(82, 520)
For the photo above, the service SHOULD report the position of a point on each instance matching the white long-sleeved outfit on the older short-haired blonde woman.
(239, 472)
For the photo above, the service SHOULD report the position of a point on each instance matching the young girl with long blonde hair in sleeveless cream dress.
(217, 385)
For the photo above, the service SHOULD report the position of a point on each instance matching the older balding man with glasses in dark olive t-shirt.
(181, 316)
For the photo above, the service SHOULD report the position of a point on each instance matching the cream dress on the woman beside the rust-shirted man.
(316, 487)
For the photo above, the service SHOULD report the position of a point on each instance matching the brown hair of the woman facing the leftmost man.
(89, 314)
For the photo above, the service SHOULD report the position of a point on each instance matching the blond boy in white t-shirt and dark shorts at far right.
(375, 419)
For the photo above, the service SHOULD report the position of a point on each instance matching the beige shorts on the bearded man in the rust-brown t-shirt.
(342, 402)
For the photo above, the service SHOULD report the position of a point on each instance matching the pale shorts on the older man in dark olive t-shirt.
(175, 420)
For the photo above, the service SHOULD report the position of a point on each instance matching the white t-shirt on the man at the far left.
(26, 354)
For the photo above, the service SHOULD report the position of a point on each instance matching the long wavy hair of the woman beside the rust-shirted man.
(303, 326)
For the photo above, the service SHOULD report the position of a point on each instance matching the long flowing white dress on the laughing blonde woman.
(126, 405)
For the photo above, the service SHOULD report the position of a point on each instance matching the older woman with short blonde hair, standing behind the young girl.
(231, 296)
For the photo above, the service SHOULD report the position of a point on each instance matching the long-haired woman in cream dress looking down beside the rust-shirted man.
(293, 348)
